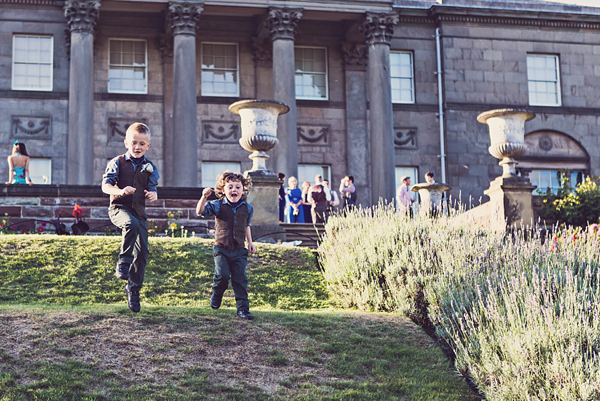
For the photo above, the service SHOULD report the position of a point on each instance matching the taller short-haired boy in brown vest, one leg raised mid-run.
(130, 179)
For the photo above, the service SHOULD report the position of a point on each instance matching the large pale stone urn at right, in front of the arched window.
(507, 134)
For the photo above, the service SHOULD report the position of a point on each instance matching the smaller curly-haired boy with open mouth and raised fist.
(232, 225)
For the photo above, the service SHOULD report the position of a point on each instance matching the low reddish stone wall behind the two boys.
(35, 208)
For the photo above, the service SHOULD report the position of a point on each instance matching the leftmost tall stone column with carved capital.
(81, 17)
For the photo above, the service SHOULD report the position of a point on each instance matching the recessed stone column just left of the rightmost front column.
(357, 133)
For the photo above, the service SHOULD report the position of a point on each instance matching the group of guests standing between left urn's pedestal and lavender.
(313, 203)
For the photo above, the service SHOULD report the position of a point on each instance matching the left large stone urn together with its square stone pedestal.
(259, 135)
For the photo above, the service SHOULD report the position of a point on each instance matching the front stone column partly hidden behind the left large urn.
(282, 26)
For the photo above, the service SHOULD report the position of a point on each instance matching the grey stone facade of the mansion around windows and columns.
(484, 66)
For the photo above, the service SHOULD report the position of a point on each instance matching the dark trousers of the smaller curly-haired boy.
(231, 264)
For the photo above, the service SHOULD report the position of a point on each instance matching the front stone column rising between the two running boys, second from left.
(183, 20)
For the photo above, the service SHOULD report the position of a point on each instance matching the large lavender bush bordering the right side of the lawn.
(522, 316)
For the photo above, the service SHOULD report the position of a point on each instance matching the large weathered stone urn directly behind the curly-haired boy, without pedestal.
(259, 128)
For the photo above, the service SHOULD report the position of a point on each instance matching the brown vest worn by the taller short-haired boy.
(133, 178)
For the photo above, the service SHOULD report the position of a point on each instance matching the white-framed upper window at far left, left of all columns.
(32, 62)
